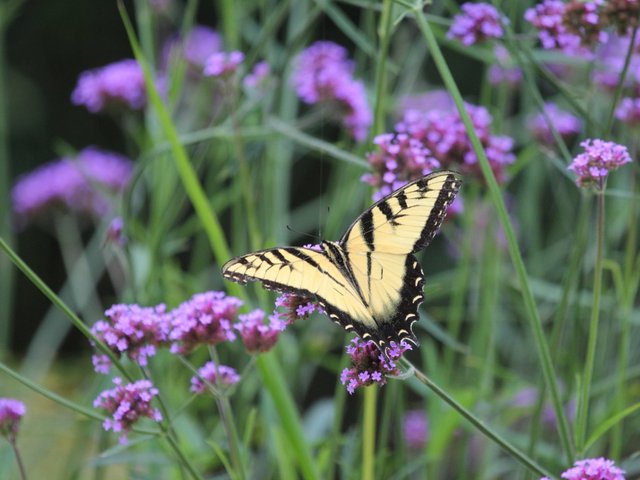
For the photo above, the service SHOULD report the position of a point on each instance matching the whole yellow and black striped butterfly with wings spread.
(369, 282)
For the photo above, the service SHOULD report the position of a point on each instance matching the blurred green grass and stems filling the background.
(530, 311)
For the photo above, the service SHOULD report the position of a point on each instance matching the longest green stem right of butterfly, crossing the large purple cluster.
(496, 196)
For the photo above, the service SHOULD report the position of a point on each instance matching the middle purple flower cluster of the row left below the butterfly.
(205, 319)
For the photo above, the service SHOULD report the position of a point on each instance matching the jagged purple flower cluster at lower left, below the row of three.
(126, 404)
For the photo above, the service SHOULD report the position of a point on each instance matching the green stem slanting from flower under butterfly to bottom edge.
(477, 423)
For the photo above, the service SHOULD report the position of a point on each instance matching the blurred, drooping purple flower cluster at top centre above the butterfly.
(323, 73)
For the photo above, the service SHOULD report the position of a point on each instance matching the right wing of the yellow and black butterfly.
(379, 246)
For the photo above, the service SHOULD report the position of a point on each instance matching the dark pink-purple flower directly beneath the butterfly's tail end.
(369, 365)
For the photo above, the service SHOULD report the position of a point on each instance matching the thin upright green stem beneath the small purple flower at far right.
(583, 410)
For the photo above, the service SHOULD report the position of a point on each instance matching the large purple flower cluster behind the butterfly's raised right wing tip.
(427, 139)
